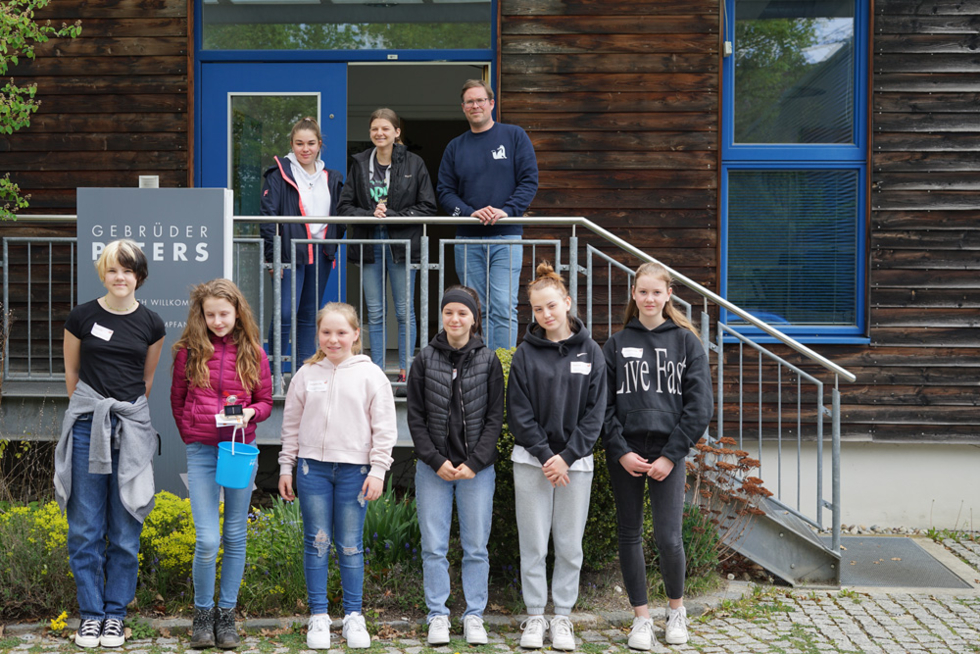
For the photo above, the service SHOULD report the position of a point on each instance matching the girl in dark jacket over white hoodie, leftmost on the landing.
(299, 185)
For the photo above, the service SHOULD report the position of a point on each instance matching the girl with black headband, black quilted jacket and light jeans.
(455, 413)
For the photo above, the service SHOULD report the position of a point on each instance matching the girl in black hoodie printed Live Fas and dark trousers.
(660, 403)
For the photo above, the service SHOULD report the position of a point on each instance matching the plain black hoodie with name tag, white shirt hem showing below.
(556, 394)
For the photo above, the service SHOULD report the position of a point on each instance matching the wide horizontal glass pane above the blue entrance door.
(346, 25)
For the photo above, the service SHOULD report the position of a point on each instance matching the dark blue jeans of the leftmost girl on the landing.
(311, 283)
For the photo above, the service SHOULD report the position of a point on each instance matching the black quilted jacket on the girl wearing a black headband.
(429, 397)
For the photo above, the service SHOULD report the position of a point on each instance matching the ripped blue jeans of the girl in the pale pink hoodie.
(332, 514)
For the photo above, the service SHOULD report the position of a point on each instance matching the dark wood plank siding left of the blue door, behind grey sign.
(114, 104)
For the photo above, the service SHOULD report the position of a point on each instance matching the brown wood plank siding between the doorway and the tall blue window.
(621, 100)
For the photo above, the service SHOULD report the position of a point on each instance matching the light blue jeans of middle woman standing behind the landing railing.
(373, 279)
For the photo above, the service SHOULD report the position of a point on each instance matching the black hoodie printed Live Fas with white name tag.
(659, 392)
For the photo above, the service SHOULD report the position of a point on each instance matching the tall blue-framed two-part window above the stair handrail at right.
(794, 173)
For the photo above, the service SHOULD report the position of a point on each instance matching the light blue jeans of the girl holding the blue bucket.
(204, 491)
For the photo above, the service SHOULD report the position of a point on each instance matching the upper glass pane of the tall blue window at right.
(794, 71)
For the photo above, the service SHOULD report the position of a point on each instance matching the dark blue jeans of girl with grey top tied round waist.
(105, 574)
